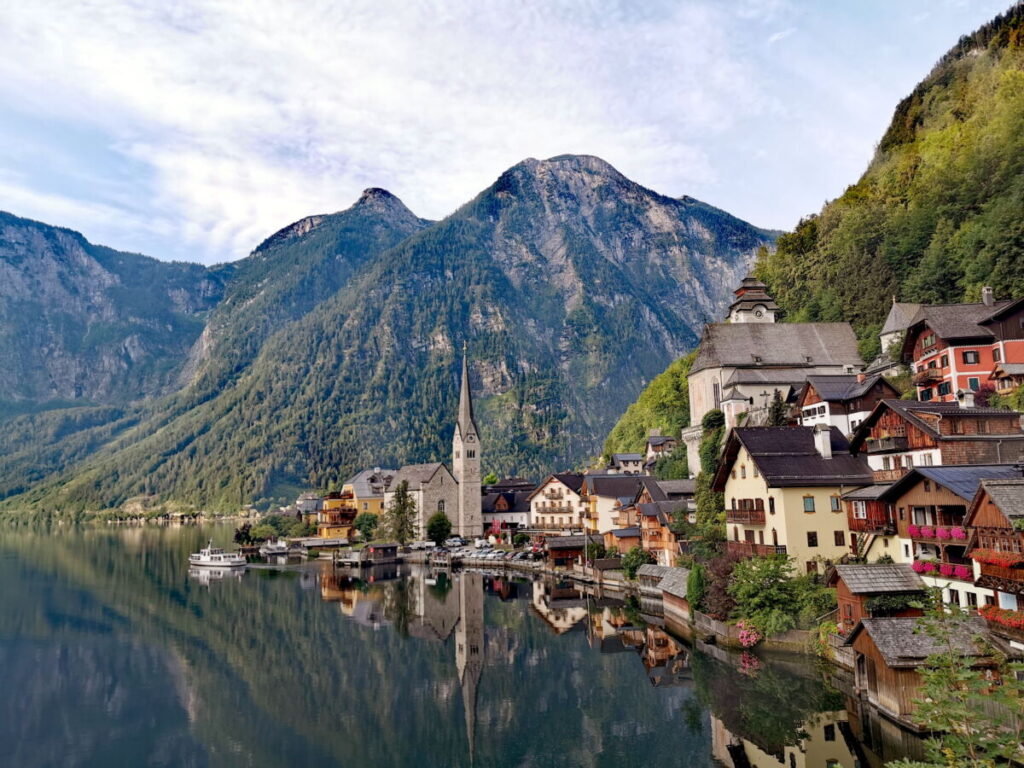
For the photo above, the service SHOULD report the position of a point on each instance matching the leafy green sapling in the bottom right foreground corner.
(977, 724)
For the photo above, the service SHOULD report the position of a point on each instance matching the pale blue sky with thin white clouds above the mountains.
(192, 130)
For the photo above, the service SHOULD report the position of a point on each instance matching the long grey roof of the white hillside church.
(787, 345)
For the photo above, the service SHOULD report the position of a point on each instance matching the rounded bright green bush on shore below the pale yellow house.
(765, 593)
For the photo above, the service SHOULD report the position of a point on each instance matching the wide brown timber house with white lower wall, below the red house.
(900, 436)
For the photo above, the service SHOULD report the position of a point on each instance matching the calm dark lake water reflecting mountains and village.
(113, 654)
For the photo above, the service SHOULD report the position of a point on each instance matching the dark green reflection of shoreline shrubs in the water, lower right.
(770, 708)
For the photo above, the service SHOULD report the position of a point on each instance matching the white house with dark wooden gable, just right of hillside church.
(841, 401)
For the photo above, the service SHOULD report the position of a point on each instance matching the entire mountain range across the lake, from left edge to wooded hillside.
(336, 345)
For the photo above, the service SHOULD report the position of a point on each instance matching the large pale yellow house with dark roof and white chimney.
(784, 489)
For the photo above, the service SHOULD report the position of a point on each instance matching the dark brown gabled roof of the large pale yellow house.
(787, 457)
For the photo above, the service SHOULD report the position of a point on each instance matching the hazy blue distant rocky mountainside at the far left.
(84, 324)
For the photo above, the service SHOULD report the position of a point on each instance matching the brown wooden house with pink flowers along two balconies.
(930, 507)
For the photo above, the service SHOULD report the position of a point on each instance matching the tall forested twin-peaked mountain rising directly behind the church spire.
(337, 344)
